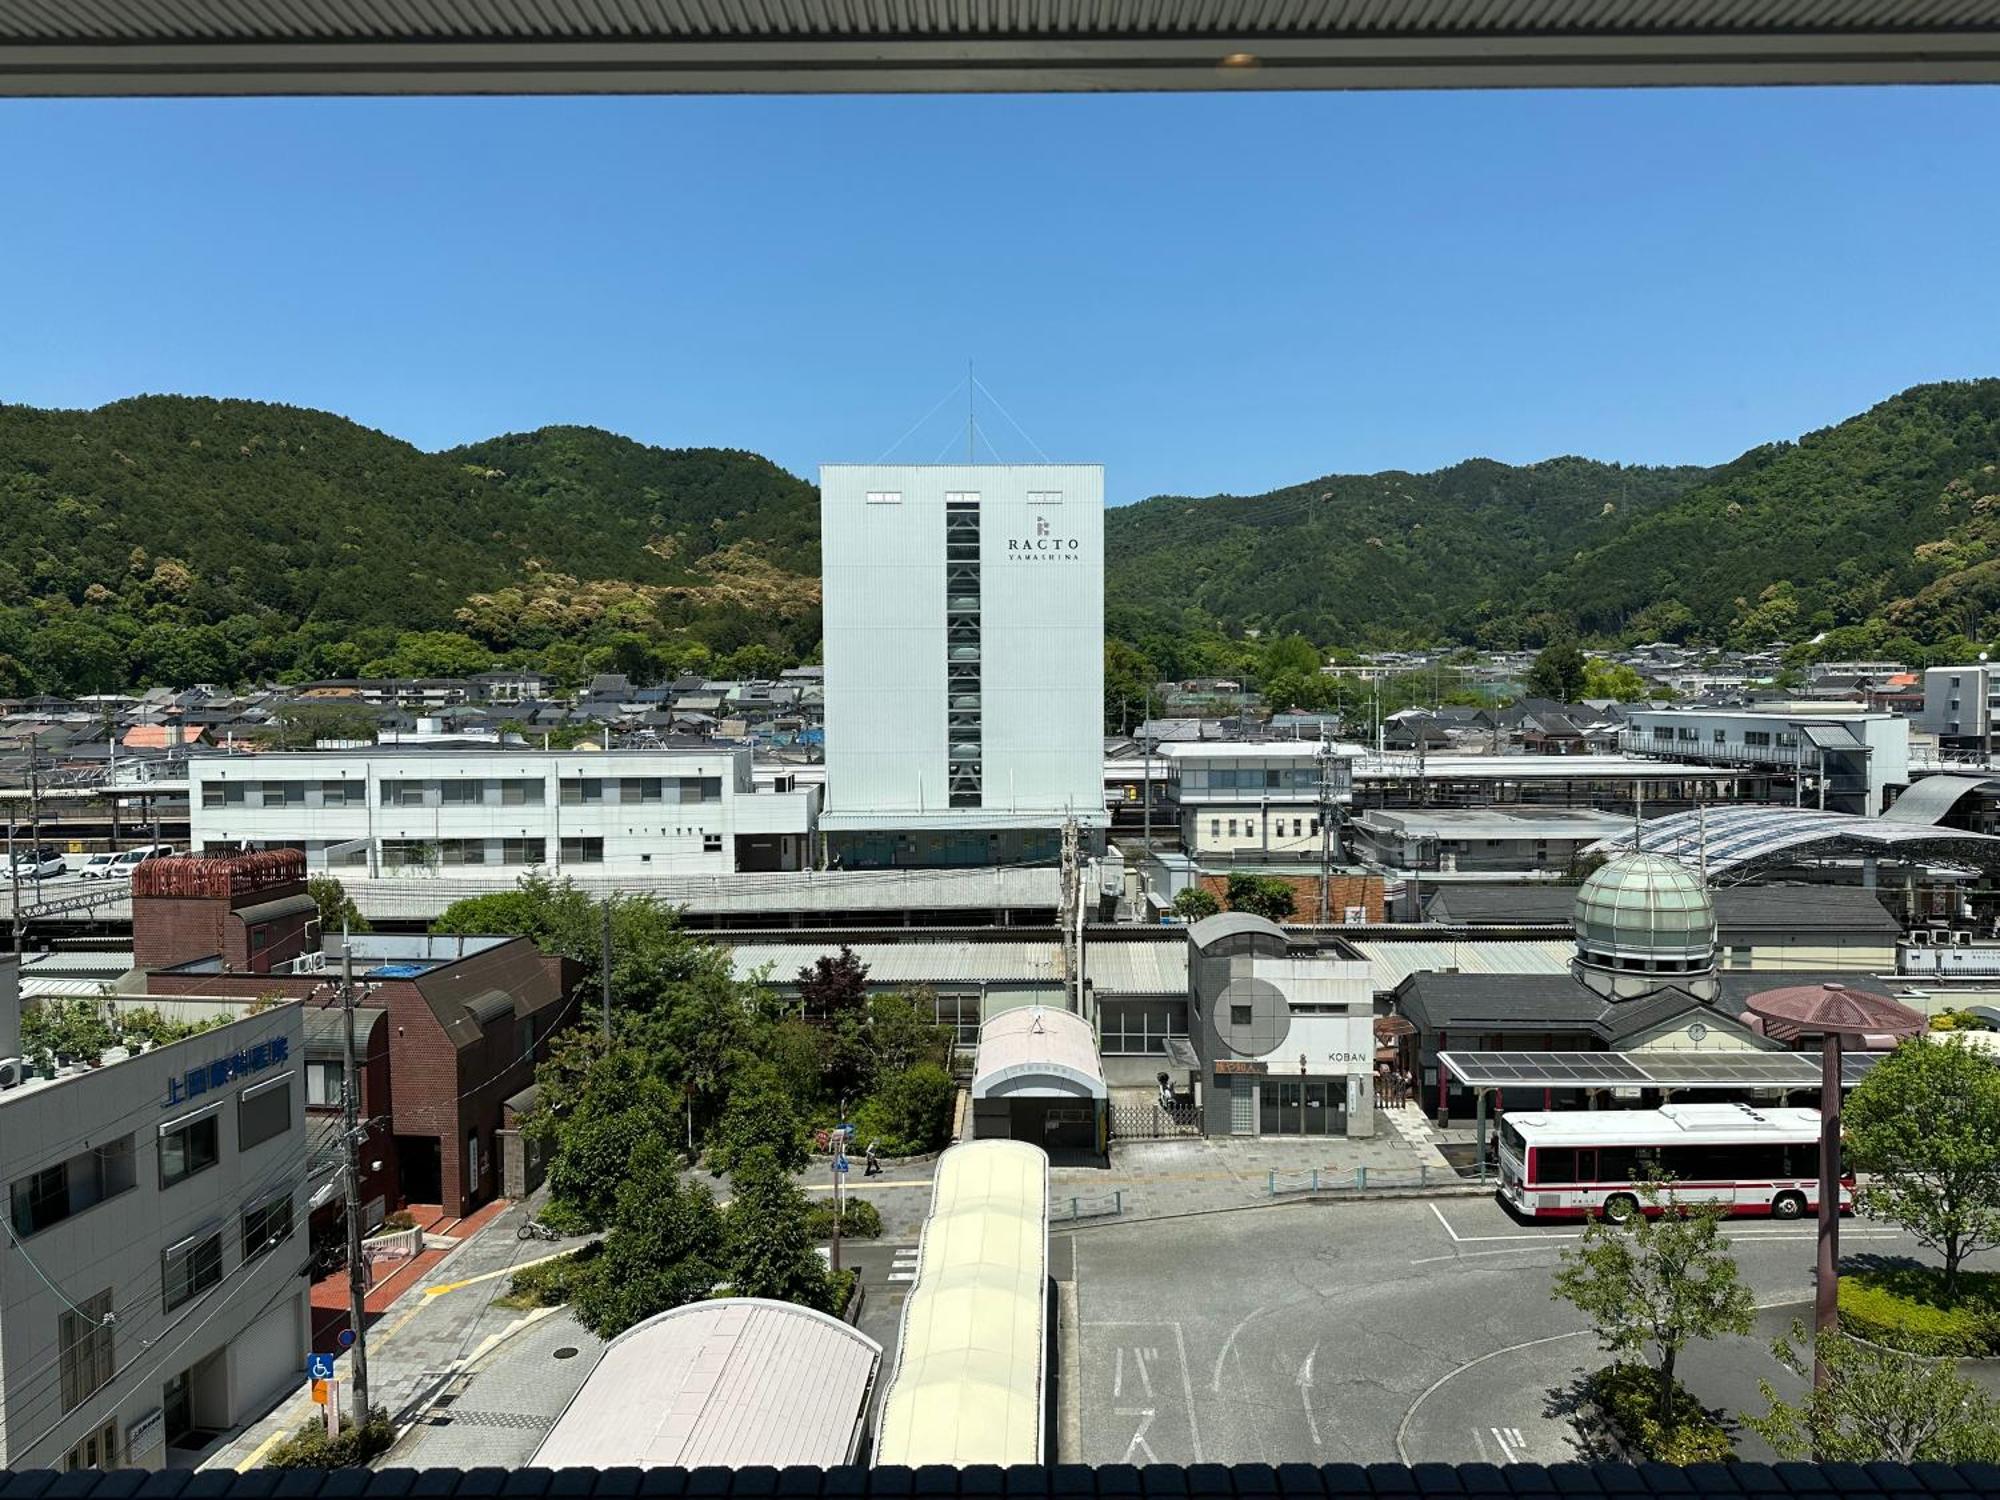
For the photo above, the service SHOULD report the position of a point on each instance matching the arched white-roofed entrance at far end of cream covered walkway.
(1039, 1079)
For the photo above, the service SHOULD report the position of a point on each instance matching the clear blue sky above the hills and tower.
(1207, 295)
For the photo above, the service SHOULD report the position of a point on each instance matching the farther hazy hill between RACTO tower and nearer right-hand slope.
(1373, 557)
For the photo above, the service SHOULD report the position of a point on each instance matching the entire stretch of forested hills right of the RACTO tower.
(1881, 531)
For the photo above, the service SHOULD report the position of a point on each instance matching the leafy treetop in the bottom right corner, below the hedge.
(1877, 1407)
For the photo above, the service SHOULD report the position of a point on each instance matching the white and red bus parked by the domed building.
(1749, 1159)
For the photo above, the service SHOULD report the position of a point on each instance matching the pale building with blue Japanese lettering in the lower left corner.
(153, 1291)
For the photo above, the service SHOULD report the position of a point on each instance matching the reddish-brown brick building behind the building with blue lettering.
(447, 1029)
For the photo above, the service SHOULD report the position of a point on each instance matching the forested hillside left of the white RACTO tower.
(171, 539)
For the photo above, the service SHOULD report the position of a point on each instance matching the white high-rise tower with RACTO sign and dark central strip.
(965, 659)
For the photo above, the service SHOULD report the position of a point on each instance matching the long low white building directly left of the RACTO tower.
(473, 815)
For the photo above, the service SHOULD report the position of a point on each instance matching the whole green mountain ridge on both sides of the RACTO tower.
(179, 539)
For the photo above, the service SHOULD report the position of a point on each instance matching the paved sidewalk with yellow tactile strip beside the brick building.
(435, 1317)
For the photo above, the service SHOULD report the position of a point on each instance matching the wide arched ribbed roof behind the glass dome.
(1741, 839)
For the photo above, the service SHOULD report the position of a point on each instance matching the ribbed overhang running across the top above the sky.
(831, 47)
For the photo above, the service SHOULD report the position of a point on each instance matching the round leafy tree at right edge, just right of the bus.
(1927, 1125)
